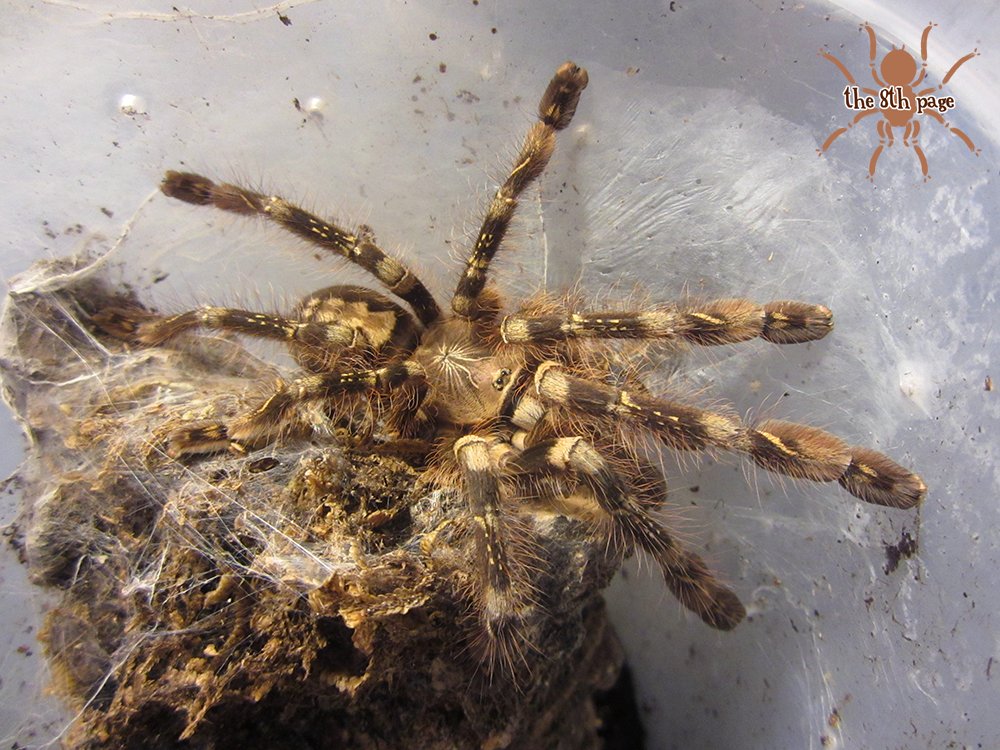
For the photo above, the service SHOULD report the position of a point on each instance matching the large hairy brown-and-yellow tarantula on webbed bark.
(522, 402)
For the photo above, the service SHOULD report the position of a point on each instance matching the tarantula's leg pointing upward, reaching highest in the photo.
(555, 111)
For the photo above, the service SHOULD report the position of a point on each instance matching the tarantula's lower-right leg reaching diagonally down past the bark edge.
(685, 573)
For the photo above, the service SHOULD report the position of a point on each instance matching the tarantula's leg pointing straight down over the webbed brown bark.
(502, 588)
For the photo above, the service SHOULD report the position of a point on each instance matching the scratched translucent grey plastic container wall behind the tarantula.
(691, 167)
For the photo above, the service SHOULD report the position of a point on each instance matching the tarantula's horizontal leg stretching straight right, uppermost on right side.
(723, 321)
